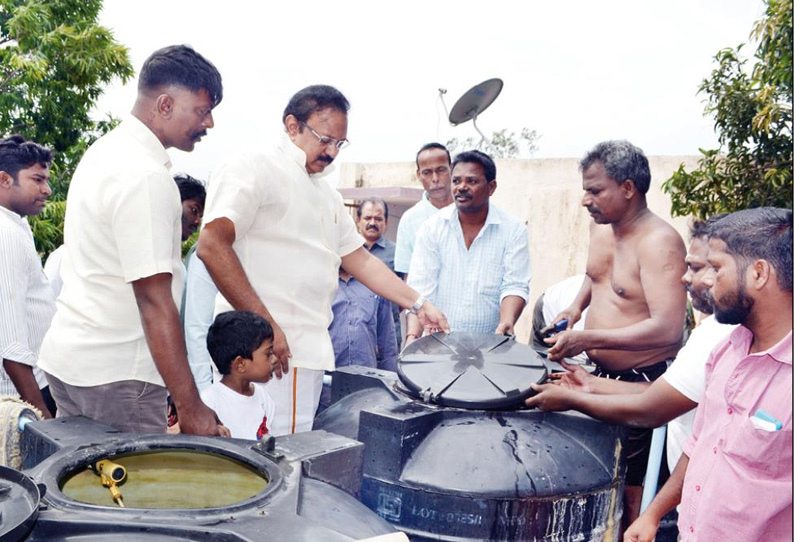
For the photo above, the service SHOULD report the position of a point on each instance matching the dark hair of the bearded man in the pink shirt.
(763, 233)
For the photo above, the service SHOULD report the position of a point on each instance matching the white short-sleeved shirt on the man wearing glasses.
(291, 231)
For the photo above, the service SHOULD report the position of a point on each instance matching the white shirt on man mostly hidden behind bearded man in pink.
(687, 374)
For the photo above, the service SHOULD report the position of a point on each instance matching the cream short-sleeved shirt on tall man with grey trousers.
(123, 223)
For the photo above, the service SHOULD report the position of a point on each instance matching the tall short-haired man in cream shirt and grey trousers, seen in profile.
(115, 347)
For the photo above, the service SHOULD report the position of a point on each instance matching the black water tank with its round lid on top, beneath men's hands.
(450, 455)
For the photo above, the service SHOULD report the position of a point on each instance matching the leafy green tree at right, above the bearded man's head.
(752, 116)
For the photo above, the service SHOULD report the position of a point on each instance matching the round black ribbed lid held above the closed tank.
(470, 370)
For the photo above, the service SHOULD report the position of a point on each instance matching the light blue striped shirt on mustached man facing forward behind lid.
(468, 285)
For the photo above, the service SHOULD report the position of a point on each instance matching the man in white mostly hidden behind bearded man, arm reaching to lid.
(673, 397)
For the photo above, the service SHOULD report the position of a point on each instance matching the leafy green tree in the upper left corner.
(55, 61)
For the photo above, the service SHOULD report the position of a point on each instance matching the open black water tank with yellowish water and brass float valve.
(312, 481)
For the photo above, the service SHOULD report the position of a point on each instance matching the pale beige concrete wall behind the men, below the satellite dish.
(546, 194)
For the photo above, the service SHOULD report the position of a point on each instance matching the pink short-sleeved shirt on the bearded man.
(738, 482)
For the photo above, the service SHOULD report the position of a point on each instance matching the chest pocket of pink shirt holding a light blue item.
(763, 452)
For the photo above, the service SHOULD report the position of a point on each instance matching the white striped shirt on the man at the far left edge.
(26, 299)
